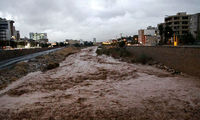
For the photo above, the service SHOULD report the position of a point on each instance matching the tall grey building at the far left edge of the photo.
(7, 30)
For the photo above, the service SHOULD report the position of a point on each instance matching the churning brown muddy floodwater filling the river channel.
(87, 86)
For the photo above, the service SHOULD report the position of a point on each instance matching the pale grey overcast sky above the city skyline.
(86, 19)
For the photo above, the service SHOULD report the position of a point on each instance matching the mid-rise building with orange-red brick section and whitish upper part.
(148, 37)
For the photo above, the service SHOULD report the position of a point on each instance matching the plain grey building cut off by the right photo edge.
(195, 26)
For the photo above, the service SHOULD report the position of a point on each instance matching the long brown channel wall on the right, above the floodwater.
(184, 59)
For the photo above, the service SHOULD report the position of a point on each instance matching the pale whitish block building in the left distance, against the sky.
(39, 37)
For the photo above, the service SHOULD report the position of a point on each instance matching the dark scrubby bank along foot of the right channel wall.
(124, 55)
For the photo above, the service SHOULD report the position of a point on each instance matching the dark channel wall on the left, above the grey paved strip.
(7, 54)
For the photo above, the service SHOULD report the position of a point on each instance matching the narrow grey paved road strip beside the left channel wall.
(12, 61)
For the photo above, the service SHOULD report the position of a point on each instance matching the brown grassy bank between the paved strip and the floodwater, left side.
(40, 63)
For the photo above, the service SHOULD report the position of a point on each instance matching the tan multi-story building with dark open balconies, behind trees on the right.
(179, 23)
